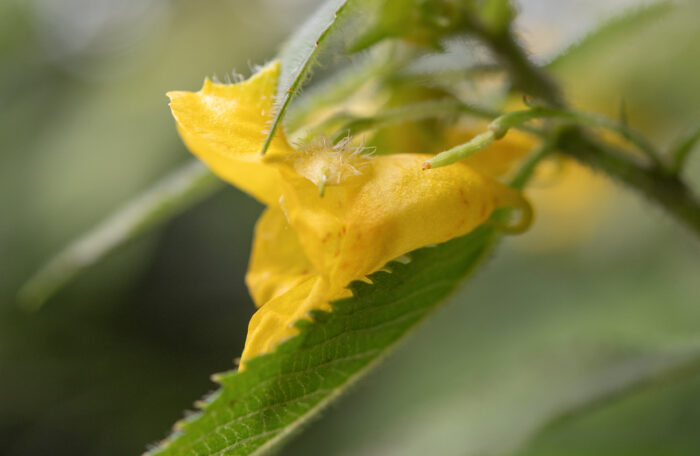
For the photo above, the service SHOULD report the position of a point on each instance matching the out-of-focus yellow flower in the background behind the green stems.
(571, 199)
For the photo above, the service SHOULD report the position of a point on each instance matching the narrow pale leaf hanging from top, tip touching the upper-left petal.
(299, 54)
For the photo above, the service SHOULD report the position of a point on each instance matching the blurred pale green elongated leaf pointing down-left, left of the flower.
(170, 196)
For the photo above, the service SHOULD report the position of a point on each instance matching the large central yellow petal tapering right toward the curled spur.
(391, 209)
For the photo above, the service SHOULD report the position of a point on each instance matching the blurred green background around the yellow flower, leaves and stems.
(114, 359)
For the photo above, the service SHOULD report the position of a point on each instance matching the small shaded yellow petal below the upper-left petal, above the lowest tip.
(277, 262)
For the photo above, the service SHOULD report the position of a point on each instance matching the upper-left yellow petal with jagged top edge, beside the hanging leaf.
(225, 126)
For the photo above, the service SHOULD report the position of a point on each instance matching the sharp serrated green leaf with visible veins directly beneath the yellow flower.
(255, 410)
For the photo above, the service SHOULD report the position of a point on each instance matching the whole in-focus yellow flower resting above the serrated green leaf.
(310, 245)
